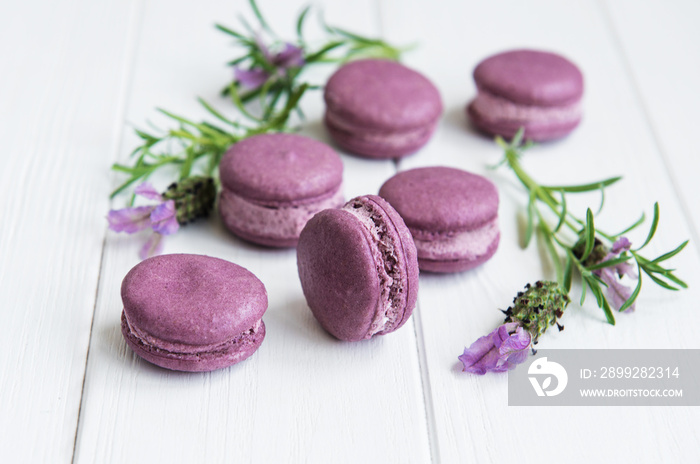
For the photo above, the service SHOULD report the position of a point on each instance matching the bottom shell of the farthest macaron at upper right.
(537, 132)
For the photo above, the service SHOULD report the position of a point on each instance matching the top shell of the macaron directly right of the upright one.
(438, 200)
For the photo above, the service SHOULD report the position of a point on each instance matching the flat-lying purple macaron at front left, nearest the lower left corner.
(192, 313)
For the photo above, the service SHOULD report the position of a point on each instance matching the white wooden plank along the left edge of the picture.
(61, 87)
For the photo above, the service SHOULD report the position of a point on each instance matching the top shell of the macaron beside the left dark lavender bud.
(281, 169)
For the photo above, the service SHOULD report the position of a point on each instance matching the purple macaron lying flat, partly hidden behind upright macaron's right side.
(452, 215)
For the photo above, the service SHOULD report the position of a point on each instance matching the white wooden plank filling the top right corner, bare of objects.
(661, 47)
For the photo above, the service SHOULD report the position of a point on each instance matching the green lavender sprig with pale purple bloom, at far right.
(601, 259)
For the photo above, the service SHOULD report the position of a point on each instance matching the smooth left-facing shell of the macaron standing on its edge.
(338, 274)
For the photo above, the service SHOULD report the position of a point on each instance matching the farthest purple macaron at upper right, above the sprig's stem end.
(537, 90)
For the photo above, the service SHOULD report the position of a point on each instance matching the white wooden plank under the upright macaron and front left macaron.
(303, 397)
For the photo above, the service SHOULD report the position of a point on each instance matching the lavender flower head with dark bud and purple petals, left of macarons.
(181, 203)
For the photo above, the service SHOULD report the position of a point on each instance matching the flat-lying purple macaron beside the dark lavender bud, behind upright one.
(273, 183)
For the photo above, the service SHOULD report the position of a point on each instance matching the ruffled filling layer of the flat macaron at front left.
(179, 351)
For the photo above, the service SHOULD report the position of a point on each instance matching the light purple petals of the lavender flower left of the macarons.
(161, 218)
